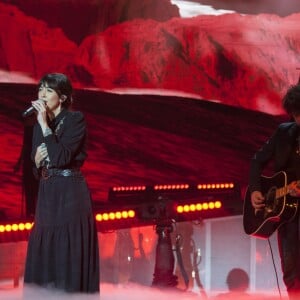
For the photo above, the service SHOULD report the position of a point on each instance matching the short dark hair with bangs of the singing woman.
(61, 84)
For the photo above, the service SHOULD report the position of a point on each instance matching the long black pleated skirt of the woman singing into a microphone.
(63, 245)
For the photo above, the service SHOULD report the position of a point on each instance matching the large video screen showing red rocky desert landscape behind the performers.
(173, 91)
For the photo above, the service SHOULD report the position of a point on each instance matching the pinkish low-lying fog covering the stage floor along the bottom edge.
(126, 292)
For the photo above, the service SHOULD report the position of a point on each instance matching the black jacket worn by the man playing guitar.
(277, 148)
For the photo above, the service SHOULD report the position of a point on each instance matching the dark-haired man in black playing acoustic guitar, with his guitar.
(271, 203)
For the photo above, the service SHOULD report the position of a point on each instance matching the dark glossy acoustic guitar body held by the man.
(280, 207)
